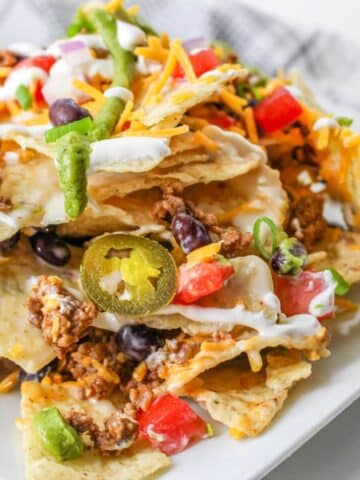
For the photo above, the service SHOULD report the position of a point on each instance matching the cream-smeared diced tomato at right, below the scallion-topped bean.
(296, 293)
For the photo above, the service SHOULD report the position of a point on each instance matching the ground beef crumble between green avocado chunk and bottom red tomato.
(119, 432)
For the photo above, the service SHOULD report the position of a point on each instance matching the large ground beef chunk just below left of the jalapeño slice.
(62, 318)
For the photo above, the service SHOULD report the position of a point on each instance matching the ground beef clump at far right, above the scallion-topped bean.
(307, 223)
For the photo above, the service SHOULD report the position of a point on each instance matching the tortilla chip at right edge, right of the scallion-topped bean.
(343, 254)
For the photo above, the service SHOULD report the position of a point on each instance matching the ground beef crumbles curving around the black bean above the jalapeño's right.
(235, 243)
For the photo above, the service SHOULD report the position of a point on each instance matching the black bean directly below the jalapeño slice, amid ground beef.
(138, 341)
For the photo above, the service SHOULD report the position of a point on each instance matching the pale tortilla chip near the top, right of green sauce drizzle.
(185, 95)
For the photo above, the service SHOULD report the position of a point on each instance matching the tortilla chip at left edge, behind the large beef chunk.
(20, 341)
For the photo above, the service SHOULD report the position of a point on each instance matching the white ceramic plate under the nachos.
(312, 404)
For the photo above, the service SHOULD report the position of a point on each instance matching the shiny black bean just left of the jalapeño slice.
(48, 246)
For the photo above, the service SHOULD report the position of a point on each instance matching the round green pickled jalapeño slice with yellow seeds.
(128, 275)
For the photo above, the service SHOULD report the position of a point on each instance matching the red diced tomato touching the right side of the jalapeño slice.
(197, 280)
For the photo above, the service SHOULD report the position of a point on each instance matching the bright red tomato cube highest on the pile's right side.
(277, 111)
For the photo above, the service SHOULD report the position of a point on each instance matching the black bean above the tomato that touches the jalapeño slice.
(189, 232)
